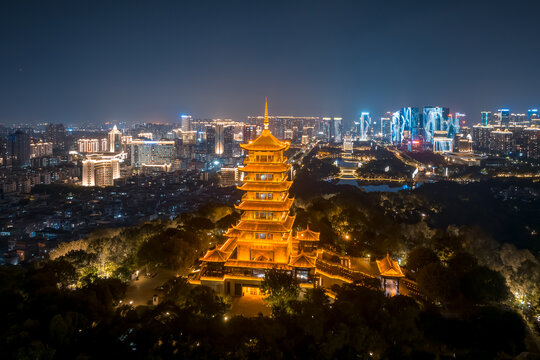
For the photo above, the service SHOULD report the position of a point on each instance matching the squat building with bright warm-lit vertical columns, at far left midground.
(100, 170)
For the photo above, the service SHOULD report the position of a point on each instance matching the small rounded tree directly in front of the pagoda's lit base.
(280, 288)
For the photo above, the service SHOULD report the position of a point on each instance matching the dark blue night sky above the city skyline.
(93, 61)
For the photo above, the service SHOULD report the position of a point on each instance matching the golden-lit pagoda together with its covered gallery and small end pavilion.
(263, 238)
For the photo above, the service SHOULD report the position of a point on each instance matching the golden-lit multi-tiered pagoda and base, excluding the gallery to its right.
(262, 239)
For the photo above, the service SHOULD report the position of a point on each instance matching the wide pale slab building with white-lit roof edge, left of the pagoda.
(152, 152)
